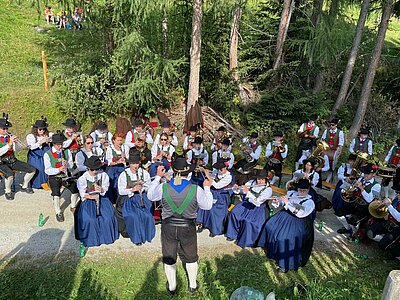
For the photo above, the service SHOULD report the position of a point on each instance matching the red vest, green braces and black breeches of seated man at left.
(56, 181)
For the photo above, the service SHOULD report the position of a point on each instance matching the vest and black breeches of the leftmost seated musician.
(9, 163)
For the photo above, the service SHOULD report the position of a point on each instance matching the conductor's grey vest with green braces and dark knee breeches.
(178, 229)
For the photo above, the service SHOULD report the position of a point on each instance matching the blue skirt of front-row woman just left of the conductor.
(138, 220)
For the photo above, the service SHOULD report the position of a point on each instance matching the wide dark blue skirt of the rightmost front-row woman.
(288, 239)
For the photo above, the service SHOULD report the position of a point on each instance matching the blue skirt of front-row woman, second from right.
(245, 223)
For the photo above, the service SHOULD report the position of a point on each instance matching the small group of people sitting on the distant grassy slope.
(63, 20)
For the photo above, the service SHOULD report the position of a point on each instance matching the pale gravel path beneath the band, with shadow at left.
(20, 235)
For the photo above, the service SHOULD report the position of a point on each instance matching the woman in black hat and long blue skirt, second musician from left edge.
(38, 142)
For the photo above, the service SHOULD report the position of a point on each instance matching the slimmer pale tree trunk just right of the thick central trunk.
(233, 50)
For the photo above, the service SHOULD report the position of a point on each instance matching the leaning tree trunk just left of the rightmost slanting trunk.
(352, 58)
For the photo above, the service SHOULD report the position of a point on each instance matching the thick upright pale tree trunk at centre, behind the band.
(195, 50)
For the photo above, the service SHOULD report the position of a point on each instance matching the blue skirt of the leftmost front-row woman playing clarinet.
(96, 230)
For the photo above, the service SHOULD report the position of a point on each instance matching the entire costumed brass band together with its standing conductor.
(127, 182)
